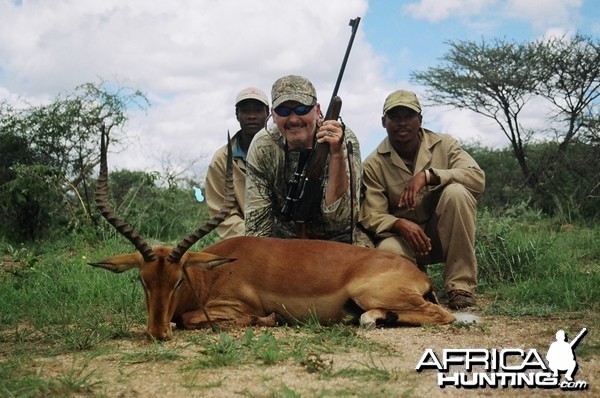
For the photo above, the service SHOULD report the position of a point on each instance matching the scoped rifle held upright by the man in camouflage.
(304, 191)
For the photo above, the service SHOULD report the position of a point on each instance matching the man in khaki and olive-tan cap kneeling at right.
(420, 190)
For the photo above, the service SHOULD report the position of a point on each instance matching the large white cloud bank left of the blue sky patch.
(189, 57)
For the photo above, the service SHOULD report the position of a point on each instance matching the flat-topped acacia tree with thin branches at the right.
(498, 79)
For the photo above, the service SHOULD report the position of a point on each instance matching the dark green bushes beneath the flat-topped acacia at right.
(568, 186)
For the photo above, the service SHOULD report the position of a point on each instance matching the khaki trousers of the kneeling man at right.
(452, 232)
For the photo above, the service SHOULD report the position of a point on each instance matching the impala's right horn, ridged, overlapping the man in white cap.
(211, 224)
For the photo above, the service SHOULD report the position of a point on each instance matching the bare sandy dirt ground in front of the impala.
(118, 378)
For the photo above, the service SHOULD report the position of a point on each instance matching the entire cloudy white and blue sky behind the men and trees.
(192, 57)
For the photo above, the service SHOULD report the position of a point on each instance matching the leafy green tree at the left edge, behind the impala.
(52, 174)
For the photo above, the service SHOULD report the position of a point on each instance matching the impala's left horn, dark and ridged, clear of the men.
(106, 210)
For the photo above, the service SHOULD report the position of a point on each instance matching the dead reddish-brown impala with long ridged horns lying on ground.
(266, 281)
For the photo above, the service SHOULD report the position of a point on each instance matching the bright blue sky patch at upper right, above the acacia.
(417, 39)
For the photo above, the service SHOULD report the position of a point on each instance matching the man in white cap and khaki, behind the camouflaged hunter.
(251, 111)
